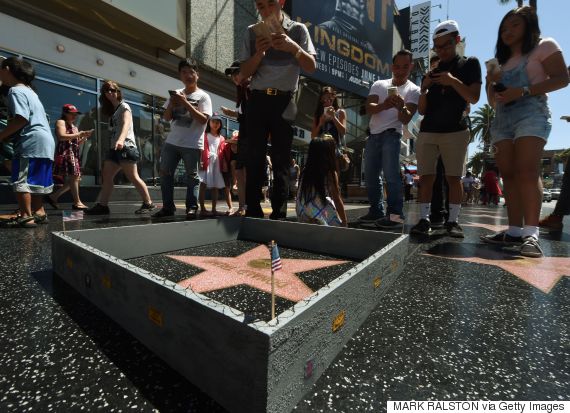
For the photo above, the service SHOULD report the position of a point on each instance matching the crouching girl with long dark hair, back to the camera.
(318, 200)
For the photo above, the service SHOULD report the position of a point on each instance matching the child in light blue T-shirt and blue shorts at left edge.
(34, 145)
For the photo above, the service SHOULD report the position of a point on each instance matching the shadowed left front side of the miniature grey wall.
(202, 340)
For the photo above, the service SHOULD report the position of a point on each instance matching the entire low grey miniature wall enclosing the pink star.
(246, 368)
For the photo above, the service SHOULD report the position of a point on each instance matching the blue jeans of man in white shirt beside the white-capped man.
(382, 154)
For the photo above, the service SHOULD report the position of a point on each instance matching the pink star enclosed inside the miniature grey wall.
(252, 268)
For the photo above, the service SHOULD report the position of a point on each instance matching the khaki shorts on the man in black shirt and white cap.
(451, 146)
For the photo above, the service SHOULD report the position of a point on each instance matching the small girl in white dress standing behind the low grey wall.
(214, 165)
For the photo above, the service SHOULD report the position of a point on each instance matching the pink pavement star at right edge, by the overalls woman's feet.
(542, 273)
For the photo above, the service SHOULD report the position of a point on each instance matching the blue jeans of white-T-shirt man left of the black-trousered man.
(170, 155)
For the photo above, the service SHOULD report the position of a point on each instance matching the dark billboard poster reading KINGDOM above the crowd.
(353, 39)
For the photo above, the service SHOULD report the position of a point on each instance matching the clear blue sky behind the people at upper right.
(478, 25)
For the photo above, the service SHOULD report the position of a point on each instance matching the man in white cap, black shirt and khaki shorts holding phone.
(445, 95)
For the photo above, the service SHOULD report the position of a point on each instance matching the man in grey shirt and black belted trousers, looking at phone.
(274, 63)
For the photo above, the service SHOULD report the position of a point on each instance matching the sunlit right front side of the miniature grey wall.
(316, 334)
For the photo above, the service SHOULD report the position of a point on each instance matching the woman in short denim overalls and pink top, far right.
(522, 121)
